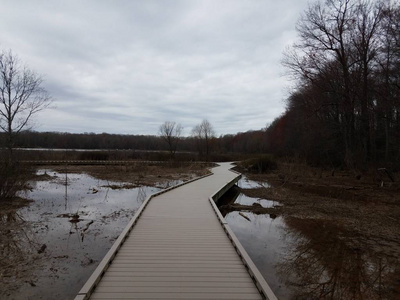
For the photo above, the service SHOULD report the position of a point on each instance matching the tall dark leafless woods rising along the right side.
(345, 109)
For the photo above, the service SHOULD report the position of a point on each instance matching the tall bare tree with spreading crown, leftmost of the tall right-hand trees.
(325, 36)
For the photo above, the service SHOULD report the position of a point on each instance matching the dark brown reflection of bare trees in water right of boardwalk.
(325, 261)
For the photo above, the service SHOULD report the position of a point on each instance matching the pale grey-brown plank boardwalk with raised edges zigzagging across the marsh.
(178, 246)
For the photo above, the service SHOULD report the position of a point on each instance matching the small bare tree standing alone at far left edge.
(21, 97)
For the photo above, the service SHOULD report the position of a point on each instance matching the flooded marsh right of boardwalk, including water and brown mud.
(321, 236)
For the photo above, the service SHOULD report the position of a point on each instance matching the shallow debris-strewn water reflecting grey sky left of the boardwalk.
(65, 232)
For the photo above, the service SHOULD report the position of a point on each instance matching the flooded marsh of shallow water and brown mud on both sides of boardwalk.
(304, 248)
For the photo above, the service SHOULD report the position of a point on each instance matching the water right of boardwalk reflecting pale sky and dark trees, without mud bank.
(313, 259)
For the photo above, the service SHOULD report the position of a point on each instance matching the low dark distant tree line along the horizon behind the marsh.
(247, 142)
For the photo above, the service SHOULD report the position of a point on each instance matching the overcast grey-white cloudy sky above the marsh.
(128, 66)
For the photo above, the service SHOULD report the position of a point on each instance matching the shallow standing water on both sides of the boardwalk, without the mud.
(51, 247)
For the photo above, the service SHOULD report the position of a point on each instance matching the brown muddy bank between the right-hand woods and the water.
(364, 204)
